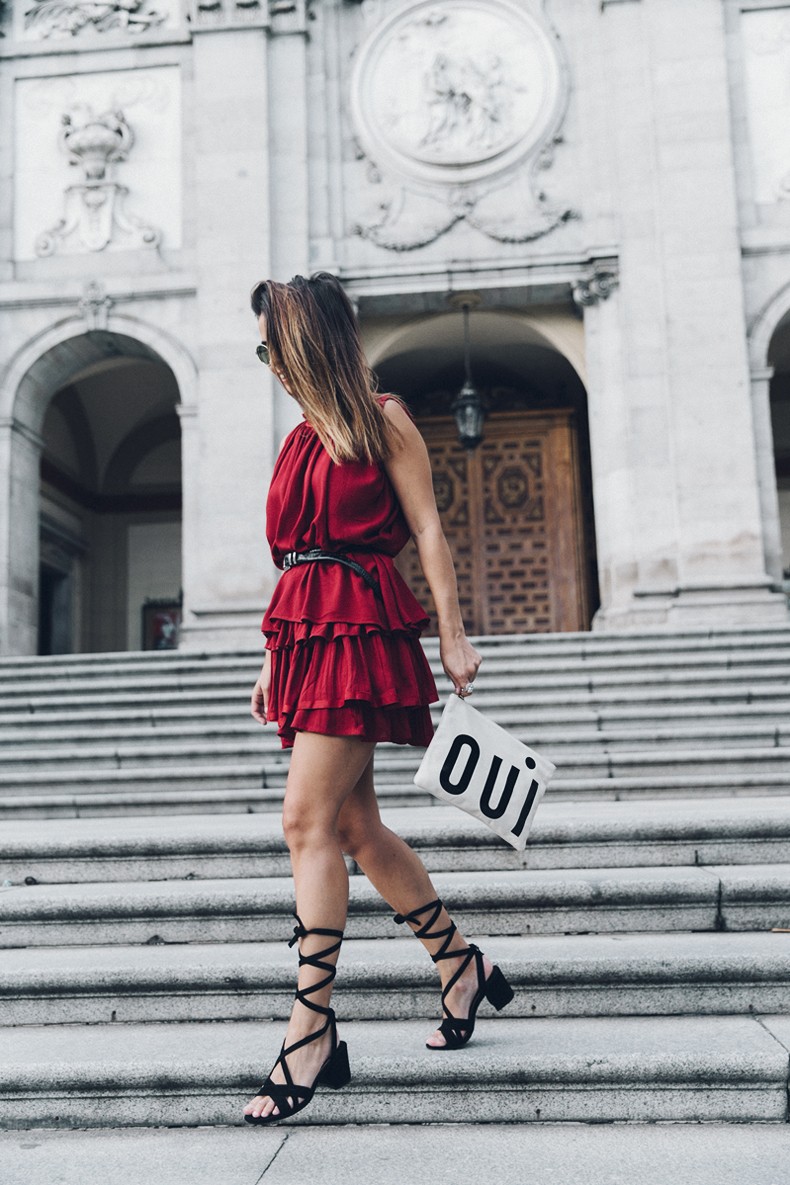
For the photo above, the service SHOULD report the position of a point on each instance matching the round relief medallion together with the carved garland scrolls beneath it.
(457, 105)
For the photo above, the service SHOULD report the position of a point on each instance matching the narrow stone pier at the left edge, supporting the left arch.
(21, 451)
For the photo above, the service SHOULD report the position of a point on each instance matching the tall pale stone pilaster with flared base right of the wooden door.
(696, 530)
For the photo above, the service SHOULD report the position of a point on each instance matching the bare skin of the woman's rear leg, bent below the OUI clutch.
(401, 877)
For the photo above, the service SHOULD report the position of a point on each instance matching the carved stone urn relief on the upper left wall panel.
(95, 212)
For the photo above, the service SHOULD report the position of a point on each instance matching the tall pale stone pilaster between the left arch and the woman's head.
(229, 438)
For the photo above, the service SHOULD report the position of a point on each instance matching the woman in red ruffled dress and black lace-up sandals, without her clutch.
(344, 669)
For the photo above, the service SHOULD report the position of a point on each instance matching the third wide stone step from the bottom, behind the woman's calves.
(742, 898)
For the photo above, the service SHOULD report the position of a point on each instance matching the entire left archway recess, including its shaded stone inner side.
(98, 535)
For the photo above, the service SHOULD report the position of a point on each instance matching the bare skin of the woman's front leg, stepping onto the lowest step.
(324, 772)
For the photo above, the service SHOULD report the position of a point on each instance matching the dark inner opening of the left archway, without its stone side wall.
(111, 514)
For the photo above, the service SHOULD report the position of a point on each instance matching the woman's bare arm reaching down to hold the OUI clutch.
(410, 473)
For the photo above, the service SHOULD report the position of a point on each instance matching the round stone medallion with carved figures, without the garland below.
(454, 91)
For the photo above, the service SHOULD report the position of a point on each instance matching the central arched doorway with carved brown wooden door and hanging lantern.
(518, 510)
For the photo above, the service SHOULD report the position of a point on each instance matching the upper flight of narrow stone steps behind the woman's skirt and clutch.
(650, 715)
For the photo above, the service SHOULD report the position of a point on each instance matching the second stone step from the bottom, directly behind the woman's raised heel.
(582, 976)
